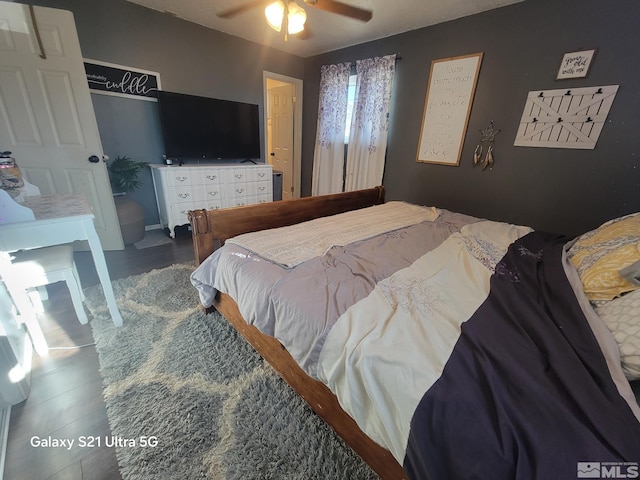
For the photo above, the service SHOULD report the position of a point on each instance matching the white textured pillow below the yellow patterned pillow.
(622, 318)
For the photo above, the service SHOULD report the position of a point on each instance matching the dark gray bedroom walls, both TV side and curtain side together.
(568, 191)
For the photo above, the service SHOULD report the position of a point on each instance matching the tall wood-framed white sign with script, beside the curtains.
(452, 84)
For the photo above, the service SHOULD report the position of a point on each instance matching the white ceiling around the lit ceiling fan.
(327, 31)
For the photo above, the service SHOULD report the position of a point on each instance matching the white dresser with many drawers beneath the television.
(180, 189)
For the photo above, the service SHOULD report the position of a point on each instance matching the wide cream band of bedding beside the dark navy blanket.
(387, 350)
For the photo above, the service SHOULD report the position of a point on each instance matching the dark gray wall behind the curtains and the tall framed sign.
(561, 190)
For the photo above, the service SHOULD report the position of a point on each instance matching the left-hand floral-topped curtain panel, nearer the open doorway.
(328, 159)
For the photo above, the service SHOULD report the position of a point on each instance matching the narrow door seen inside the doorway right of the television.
(281, 155)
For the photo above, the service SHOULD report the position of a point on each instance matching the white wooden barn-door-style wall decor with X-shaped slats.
(566, 118)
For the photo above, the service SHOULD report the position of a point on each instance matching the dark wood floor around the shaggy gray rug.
(66, 388)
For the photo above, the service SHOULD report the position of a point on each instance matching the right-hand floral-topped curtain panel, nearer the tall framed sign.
(369, 125)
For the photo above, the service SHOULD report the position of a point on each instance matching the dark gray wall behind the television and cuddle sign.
(189, 58)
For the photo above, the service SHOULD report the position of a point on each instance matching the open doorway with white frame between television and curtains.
(283, 132)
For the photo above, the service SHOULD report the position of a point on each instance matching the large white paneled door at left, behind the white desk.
(46, 115)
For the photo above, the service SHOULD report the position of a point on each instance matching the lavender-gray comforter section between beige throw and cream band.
(299, 305)
